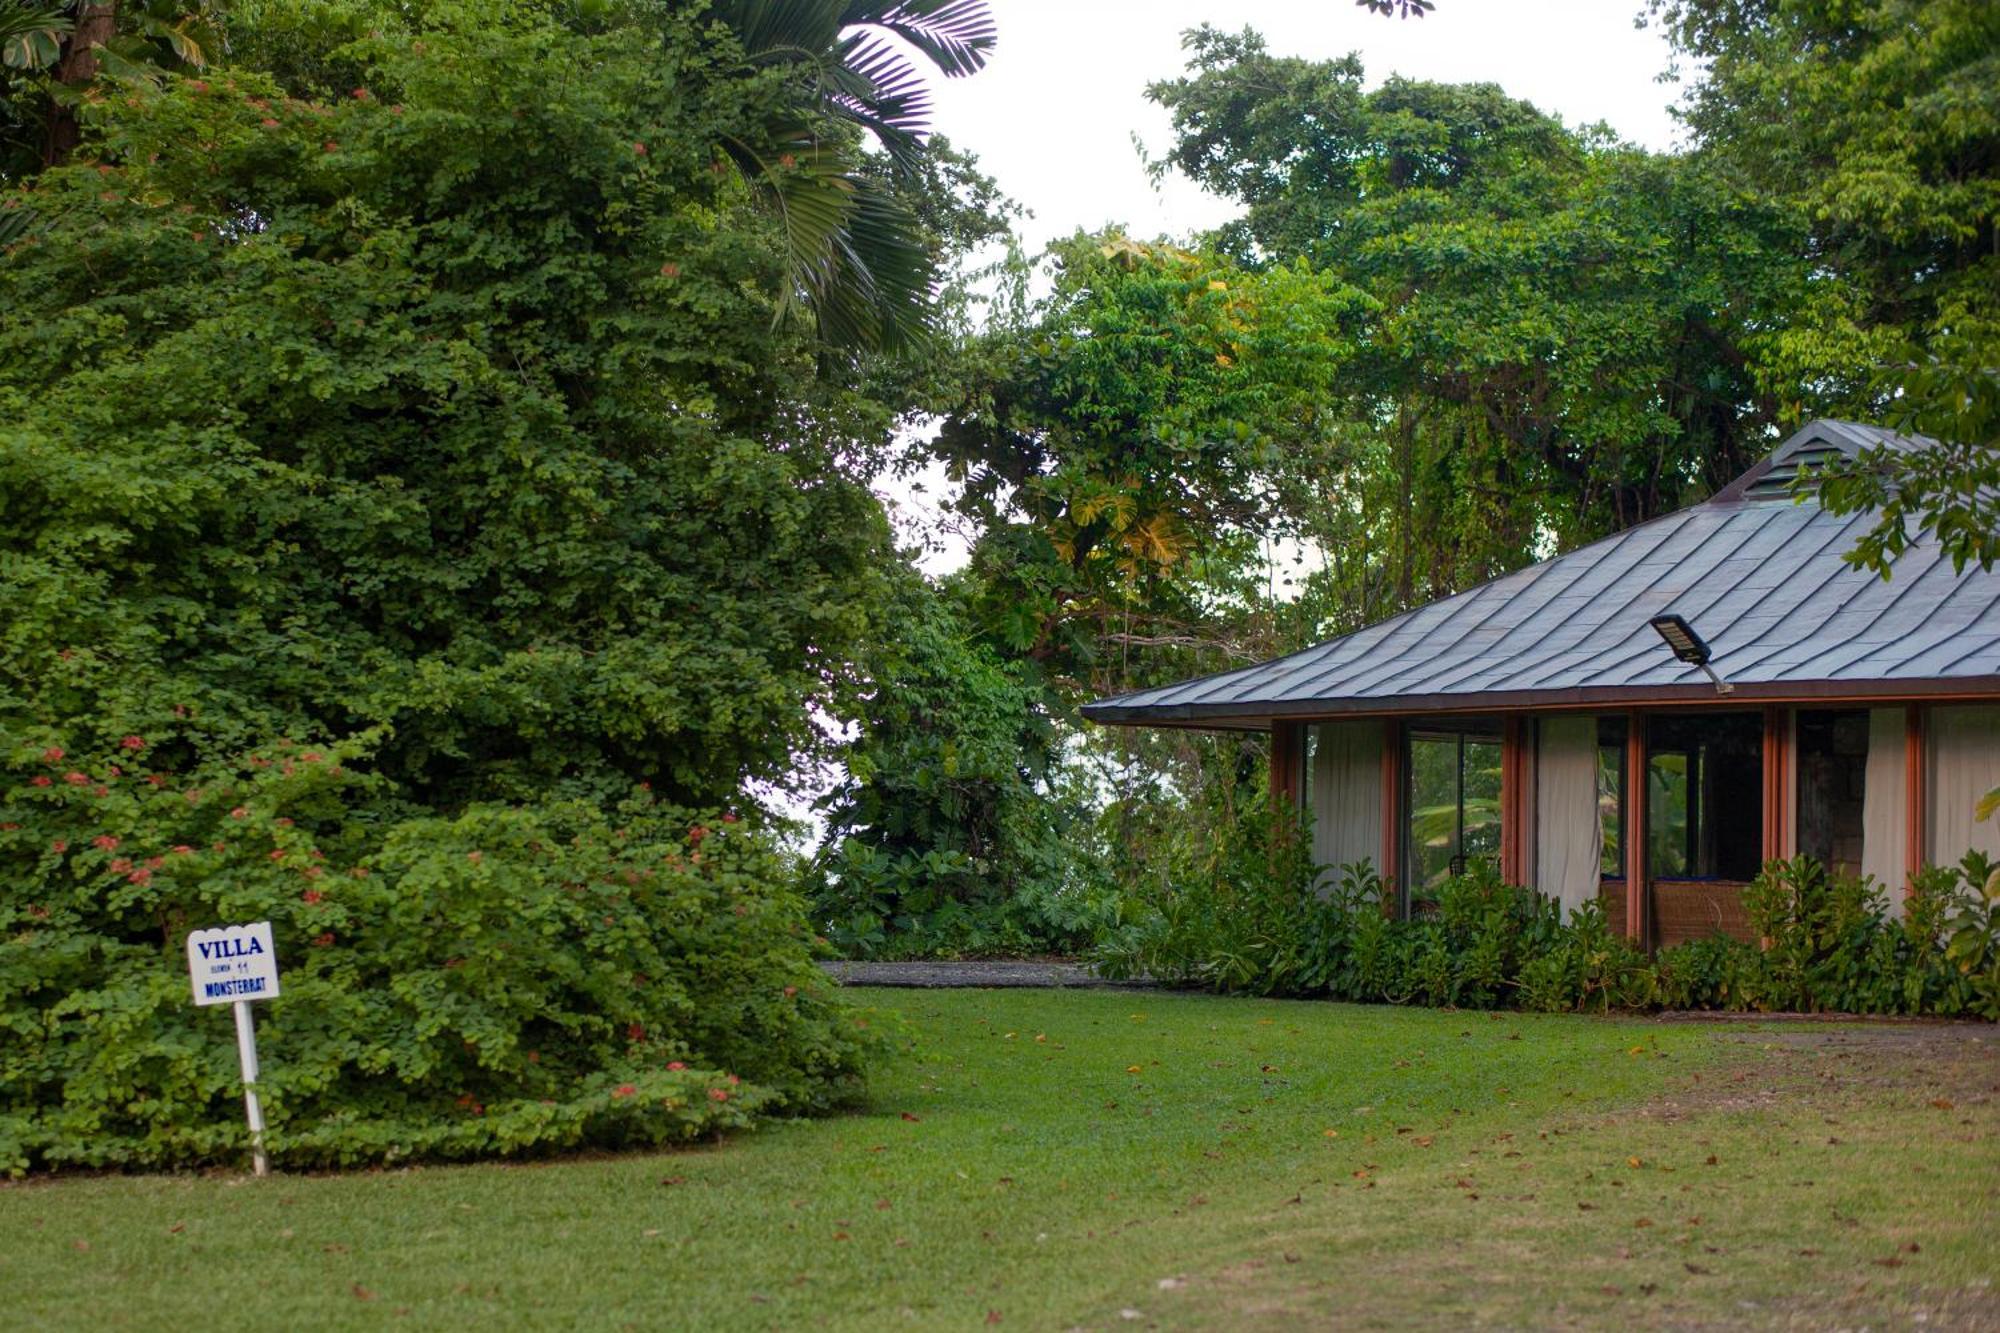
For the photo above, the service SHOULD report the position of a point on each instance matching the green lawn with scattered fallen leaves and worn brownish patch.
(1127, 1160)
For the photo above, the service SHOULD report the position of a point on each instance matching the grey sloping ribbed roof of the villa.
(1759, 577)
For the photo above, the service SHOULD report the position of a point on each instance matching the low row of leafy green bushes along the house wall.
(1245, 916)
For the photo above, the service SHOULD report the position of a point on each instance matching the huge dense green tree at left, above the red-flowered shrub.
(399, 411)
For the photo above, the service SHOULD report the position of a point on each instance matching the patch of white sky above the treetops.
(1055, 111)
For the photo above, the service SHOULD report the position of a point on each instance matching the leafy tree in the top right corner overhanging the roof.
(1877, 127)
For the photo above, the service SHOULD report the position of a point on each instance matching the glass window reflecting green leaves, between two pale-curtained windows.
(1453, 800)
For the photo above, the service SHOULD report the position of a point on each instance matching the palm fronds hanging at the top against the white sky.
(855, 253)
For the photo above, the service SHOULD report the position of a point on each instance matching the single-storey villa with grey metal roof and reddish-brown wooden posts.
(1541, 722)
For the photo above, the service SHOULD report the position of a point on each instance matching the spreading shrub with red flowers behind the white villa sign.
(505, 982)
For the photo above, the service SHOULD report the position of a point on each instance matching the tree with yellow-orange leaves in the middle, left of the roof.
(1129, 443)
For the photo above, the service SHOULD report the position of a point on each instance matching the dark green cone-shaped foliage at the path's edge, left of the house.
(951, 834)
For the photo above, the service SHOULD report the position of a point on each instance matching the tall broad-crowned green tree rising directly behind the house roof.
(1557, 347)
